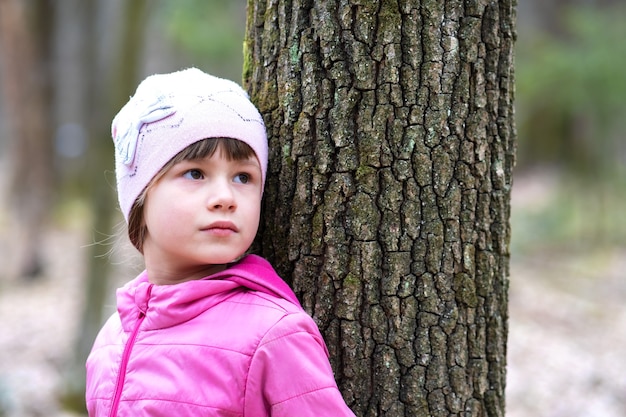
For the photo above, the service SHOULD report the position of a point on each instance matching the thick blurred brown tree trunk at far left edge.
(26, 37)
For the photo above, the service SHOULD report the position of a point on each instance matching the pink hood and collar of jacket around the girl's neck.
(170, 305)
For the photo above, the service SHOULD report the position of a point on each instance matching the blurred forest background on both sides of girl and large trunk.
(67, 66)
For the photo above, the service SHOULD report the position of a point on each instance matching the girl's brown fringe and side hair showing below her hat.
(232, 149)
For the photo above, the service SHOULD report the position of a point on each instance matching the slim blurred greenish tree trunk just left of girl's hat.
(109, 86)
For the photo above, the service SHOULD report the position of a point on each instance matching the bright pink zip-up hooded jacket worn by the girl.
(234, 344)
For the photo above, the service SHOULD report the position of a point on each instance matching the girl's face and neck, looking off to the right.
(201, 215)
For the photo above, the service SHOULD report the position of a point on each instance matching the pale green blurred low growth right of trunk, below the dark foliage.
(567, 216)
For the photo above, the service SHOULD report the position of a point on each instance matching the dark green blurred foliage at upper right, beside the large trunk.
(571, 92)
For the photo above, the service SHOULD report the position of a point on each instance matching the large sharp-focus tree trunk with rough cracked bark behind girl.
(388, 194)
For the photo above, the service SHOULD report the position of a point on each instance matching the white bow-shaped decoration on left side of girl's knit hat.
(139, 113)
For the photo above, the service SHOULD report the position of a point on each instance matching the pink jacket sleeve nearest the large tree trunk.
(290, 374)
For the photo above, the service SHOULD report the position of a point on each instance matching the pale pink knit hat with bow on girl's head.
(172, 111)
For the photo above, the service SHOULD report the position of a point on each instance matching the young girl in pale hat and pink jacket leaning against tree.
(205, 329)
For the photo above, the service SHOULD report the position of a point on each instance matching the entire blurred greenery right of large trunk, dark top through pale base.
(571, 103)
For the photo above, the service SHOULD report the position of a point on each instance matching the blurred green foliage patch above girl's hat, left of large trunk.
(210, 31)
